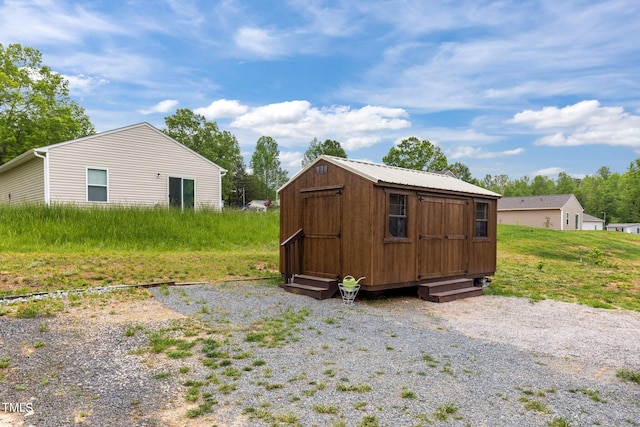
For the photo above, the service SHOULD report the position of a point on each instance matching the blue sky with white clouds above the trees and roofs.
(509, 87)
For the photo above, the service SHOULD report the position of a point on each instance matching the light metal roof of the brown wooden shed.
(384, 174)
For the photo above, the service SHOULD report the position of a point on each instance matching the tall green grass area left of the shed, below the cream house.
(63, 247)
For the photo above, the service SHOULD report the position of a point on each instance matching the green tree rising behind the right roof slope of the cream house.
(204, 137)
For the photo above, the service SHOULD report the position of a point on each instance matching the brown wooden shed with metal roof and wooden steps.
(396, 227)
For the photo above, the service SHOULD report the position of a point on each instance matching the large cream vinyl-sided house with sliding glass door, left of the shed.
(136, 165)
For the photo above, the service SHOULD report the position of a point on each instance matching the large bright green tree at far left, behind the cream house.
(35, 108)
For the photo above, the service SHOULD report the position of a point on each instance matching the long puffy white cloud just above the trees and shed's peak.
(299, 122)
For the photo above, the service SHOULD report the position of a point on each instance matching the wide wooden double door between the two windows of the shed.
(442, 237)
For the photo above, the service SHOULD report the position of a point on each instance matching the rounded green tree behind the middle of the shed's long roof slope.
(412, 153)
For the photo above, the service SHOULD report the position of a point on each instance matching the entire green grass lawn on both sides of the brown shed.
(62, 247)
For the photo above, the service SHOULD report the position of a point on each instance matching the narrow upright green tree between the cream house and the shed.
(266, 166)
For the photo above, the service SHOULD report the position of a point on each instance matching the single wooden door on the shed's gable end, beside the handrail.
(322, 214)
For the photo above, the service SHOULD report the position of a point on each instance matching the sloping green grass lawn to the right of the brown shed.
(596, 268)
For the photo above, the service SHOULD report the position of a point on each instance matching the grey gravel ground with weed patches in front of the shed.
(401, 361)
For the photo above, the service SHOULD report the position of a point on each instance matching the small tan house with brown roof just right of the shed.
(557, 212)
